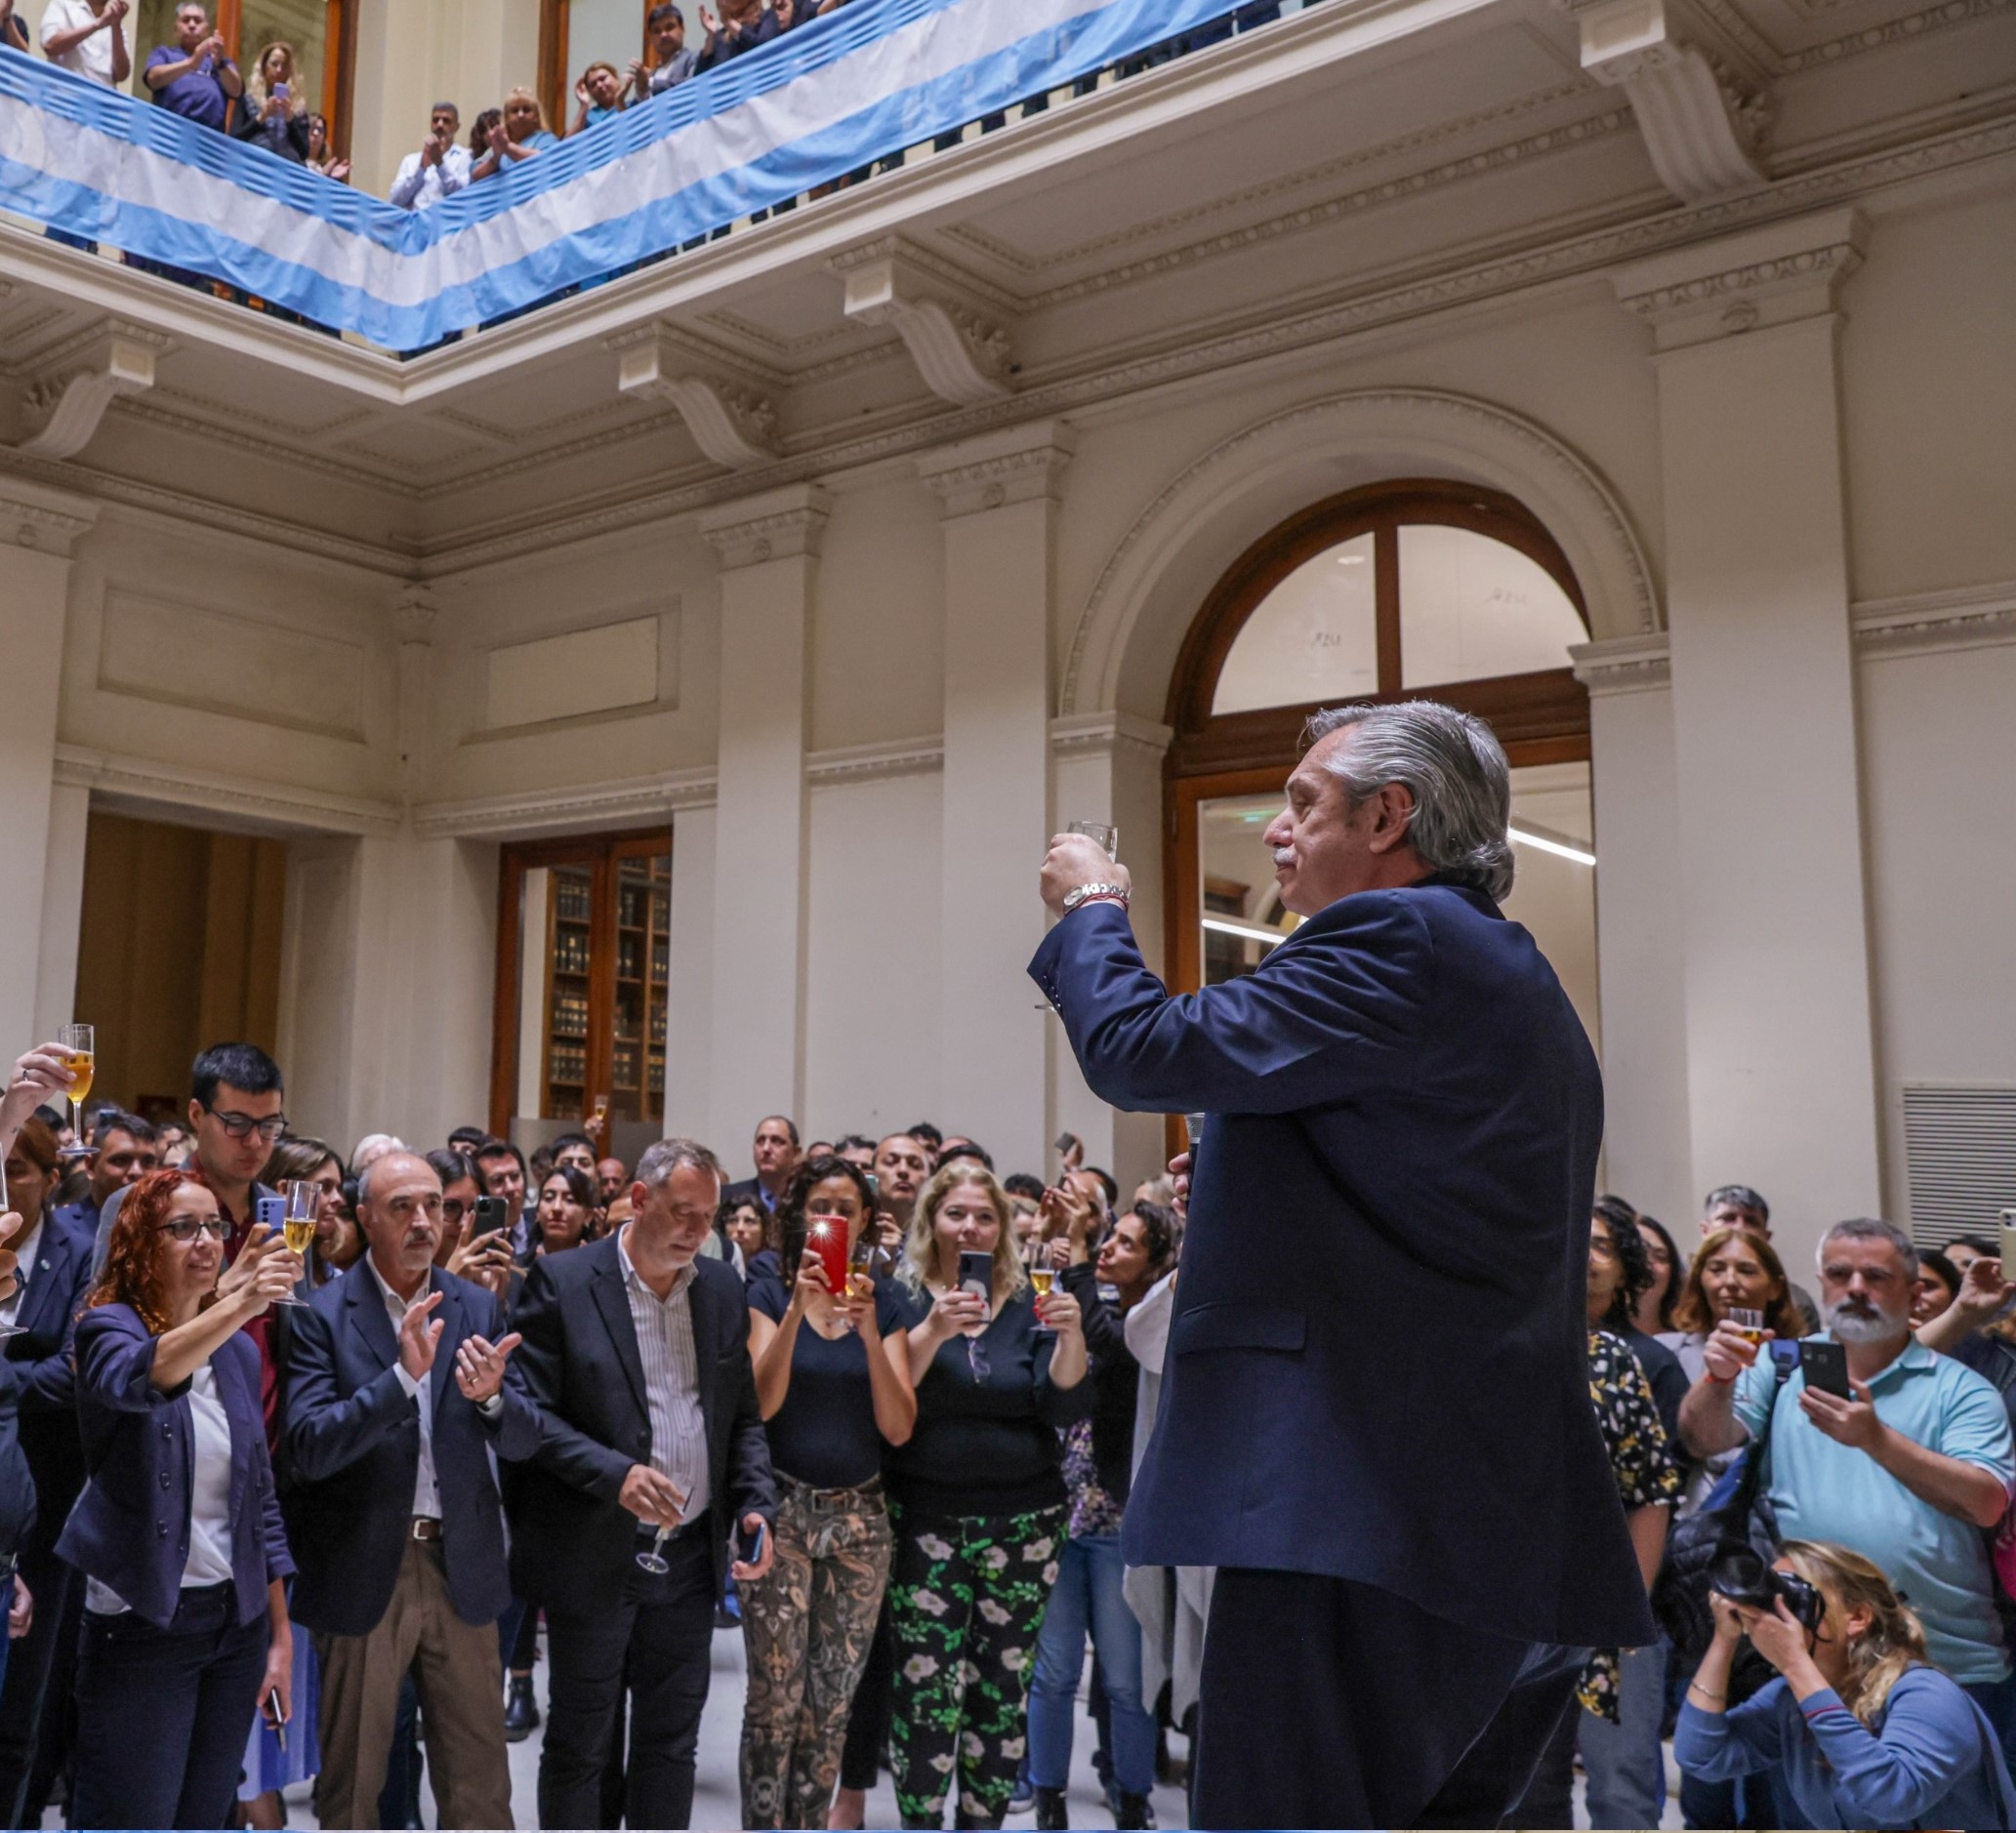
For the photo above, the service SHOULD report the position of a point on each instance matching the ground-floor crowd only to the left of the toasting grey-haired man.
(287, 1515)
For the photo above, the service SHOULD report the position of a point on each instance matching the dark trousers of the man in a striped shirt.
(656, 1642)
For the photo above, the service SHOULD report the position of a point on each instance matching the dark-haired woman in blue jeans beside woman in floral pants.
(1092, 1572)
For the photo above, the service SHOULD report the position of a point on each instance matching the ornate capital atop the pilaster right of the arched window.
(1773, 275)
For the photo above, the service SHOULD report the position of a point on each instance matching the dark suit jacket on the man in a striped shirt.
(576, 1540)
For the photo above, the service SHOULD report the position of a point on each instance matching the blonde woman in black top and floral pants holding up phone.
(977, 1499)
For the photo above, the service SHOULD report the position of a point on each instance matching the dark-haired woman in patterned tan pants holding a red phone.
(834, 1384)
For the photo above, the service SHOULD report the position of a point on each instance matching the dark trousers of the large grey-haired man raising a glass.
(1338, 1705)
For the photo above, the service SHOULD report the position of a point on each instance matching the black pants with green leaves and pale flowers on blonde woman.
(967, 1602)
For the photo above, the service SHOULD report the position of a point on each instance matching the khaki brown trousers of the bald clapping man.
(461, 1679)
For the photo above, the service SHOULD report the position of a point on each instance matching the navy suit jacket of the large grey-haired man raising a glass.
(1378, 1360)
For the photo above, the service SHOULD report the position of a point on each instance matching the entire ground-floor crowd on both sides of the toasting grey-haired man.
(297, 1515)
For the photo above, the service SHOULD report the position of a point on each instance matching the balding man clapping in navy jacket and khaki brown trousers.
(398, 1394)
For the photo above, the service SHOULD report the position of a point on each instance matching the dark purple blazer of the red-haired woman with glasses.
(130, 1527)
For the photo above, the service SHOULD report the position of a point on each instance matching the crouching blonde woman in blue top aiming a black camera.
(1860, 1723)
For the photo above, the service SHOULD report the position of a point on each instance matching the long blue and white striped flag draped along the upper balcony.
(860, 92)
